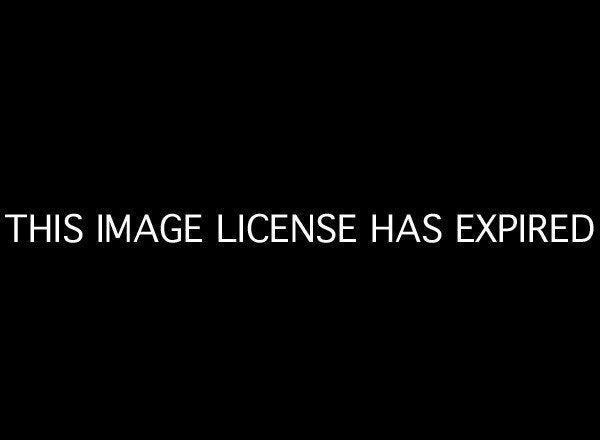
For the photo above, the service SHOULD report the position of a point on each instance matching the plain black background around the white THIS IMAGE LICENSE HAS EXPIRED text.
(368, 113)
